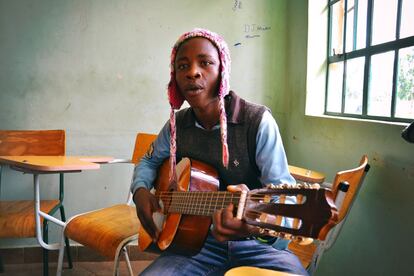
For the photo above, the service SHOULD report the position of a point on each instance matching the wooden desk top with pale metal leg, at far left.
(37, 165)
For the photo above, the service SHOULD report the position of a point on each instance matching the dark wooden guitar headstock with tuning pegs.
(311, 210)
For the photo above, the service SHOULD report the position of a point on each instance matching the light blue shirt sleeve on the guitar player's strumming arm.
(145, 171)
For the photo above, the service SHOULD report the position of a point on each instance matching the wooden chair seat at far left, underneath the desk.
(17, 219)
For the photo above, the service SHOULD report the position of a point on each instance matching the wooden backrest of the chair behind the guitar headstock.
(354, 178)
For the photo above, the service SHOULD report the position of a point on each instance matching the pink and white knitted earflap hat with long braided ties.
(176, 99)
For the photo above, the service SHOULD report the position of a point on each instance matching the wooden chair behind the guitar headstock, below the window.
(345, 188)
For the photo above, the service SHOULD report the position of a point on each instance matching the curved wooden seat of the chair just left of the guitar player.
(106, 230)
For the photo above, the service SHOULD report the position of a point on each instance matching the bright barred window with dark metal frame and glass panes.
(370, 70)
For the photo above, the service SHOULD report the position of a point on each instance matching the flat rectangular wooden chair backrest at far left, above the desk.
(32, 142)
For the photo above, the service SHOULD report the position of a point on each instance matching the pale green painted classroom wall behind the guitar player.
(99, 69)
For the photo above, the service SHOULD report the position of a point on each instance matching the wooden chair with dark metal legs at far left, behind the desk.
(17, 218)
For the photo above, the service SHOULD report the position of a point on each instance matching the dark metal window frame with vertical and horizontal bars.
(367, 52)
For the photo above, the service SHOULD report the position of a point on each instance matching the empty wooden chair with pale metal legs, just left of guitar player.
(109, 230)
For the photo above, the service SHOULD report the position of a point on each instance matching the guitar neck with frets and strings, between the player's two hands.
(197, 203)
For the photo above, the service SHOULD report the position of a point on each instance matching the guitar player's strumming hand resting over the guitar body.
(146, 204)
